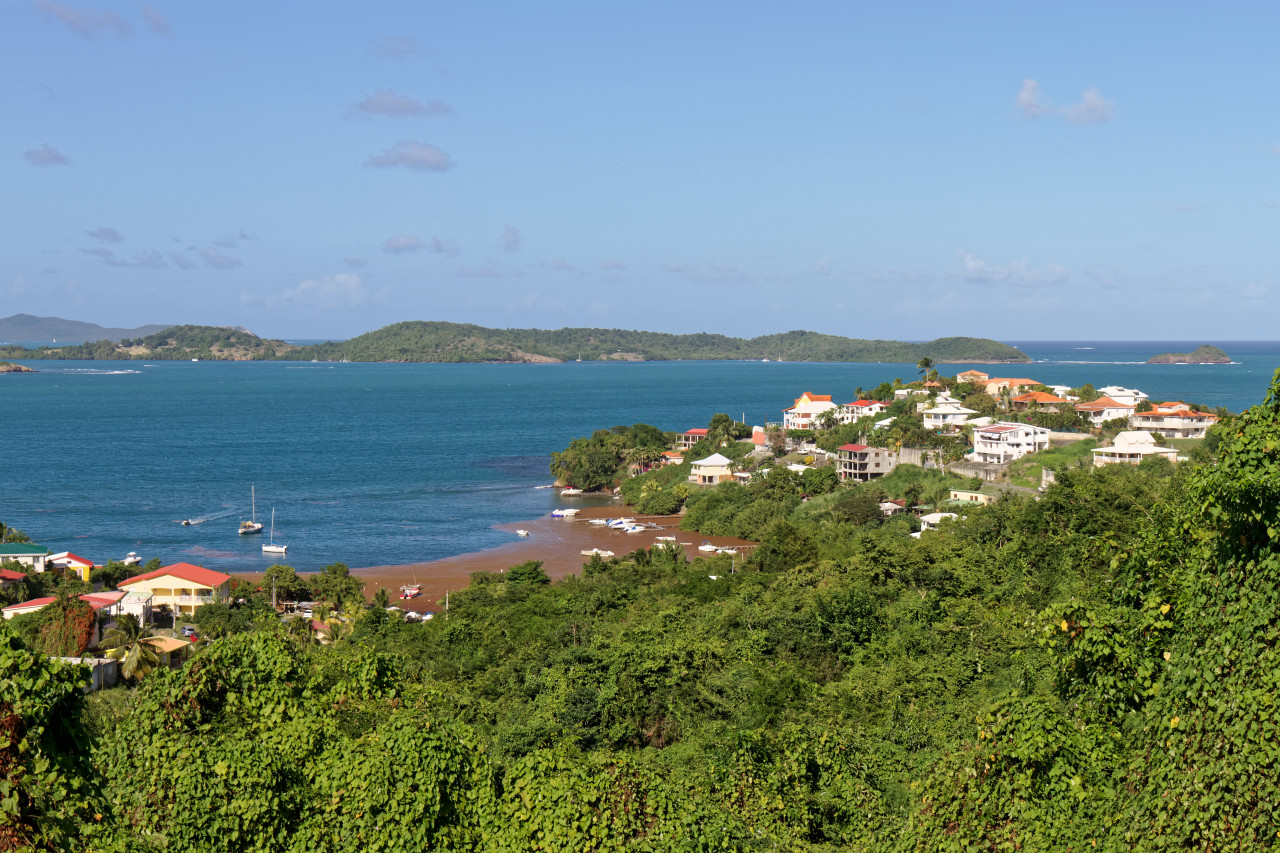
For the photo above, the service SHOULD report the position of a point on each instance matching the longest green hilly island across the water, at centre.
(422, 341)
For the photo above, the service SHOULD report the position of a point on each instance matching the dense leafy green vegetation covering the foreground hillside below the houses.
(1091, 668)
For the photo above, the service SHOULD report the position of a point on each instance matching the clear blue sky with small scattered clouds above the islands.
(899, 171)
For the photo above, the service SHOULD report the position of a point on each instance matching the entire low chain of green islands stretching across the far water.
(455, 343)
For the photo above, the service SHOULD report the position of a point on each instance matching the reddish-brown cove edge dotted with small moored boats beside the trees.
(557, 542)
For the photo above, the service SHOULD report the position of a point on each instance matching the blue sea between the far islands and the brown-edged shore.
(377, 464)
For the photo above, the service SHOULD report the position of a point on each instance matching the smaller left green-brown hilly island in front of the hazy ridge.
(177, 344)
